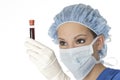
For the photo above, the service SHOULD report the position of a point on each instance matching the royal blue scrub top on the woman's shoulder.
(109, 74)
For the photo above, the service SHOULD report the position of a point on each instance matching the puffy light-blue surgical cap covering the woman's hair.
(85, 15)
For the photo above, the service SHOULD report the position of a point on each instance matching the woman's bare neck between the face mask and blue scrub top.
(96, 71)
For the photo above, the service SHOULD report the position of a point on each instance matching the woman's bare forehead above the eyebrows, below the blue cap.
(71, 28)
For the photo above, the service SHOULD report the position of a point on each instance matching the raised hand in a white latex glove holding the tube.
(45, 60)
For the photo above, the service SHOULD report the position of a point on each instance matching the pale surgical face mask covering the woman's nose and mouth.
(79, 60)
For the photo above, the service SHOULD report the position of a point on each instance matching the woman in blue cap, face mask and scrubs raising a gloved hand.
(80, 32)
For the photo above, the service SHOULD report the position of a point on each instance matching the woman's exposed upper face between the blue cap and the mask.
(71, 35)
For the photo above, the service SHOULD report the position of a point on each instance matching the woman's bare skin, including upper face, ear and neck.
(71, 35)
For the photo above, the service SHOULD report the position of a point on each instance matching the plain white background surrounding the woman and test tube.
(14, 29)
